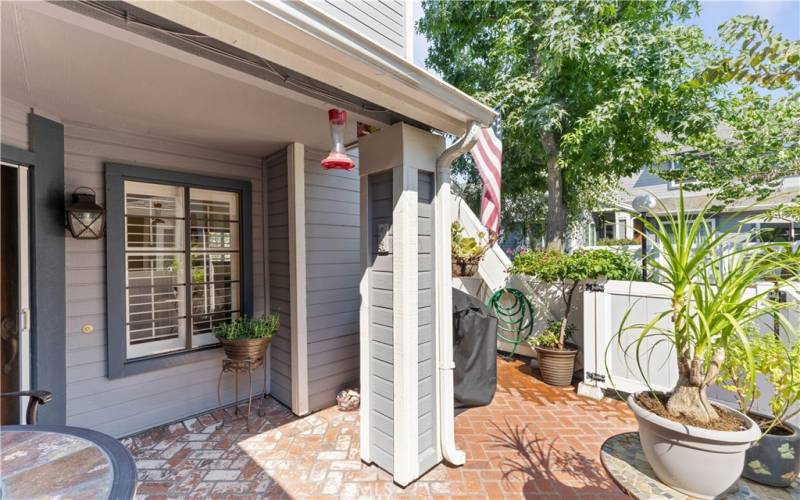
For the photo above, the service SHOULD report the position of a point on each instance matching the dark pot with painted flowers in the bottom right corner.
(775, 459)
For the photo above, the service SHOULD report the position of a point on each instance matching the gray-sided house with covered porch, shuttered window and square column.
(200, 126)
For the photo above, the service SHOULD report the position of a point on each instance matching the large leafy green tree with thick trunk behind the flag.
(589, 85)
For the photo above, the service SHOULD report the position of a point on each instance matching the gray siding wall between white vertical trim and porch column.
(332, 278)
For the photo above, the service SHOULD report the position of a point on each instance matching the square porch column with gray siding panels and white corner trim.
(399, 390)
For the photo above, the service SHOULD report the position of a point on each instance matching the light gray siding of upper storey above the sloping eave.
(382, 21)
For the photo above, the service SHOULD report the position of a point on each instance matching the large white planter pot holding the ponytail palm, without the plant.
(702, 463)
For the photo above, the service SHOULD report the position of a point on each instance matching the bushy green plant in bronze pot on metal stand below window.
(247, 338)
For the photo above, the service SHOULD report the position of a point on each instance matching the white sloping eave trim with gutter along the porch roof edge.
(301, 37)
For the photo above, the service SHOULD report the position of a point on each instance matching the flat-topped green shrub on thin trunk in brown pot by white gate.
(567, 272)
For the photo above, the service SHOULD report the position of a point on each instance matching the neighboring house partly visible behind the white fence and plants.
(617, 223)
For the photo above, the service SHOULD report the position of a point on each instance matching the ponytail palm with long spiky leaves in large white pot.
(693, 445)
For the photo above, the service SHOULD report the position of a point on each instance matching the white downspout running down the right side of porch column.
(444, 296)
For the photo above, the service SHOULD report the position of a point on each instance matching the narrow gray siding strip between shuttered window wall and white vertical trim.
(276, 170)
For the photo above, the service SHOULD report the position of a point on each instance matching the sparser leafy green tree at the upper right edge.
(759, 143)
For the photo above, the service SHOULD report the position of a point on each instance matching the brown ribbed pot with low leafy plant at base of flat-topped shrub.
(555, 353)
